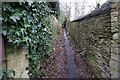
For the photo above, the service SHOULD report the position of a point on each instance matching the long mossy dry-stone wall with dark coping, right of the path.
(96, 34)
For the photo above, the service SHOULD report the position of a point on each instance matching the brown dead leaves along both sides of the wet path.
(56, 66)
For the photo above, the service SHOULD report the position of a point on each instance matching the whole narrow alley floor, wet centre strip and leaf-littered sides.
(65, 61)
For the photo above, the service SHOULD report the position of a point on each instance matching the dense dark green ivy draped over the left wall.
(28, 25)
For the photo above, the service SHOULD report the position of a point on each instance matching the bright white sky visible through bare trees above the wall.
(90, 4)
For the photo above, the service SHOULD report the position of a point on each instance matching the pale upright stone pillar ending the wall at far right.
(114, 62)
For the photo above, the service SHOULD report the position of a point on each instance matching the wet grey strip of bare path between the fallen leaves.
(70, 58)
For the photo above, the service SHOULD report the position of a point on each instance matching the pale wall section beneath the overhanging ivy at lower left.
(16, 60)
